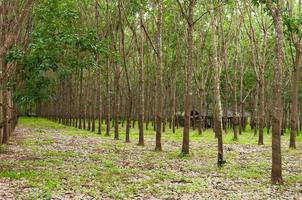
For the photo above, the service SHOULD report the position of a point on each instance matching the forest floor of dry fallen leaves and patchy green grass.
(46, 160)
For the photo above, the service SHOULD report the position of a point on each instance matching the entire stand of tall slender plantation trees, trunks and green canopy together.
(154, 61)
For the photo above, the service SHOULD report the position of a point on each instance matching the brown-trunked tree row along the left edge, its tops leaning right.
(13, 14)
